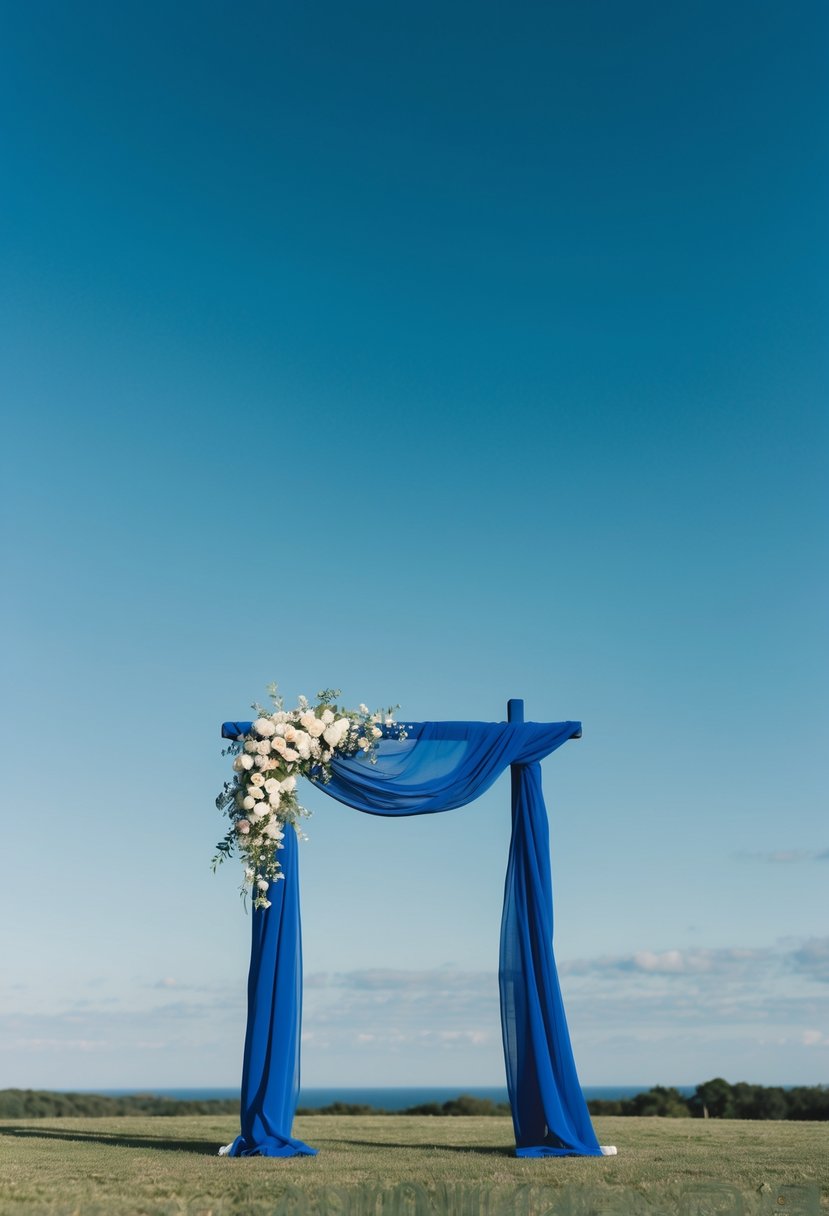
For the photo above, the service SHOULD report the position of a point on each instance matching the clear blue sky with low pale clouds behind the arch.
(444, 354)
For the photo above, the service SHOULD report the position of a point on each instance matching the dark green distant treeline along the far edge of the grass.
(713, 1100)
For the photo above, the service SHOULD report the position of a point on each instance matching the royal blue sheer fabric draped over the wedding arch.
(439, 767)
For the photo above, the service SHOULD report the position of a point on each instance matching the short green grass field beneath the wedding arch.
(409, 1167)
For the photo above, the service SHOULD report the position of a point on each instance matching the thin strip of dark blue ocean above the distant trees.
(382, 1097)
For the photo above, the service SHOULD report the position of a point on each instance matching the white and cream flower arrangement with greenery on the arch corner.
(284, 745)
